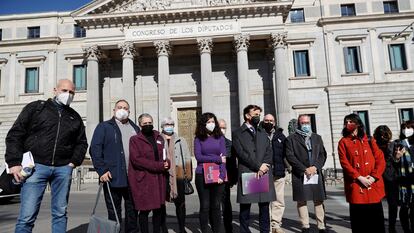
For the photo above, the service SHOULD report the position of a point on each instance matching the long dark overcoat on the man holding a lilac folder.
(251, 152)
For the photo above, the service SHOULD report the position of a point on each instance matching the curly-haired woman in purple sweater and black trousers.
(209, 147)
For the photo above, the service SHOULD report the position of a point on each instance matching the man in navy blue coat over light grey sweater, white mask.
(110, 156)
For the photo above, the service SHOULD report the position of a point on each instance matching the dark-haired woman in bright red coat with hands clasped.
(363, 164)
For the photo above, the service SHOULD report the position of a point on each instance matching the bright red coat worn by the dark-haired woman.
(359, 157)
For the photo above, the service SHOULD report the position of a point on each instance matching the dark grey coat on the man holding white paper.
(297, 156)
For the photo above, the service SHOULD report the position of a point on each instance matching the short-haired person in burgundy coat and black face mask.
(147, 173)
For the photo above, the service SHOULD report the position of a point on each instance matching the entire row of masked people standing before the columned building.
(144, 168)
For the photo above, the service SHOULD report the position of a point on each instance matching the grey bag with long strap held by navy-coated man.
(103, 225)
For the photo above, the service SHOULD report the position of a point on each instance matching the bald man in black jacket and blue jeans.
(55, 135)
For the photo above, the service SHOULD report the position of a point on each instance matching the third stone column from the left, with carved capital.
(163, 49)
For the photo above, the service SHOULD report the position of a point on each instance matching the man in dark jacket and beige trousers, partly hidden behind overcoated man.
(277, 140)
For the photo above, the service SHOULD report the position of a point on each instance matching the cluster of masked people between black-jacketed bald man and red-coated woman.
(146, 168)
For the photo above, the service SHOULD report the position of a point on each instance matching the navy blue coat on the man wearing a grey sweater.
(107, 152)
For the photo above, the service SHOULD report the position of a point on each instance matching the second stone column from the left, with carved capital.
(128, 81)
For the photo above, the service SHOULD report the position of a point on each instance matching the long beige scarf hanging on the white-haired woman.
(169, 144)
